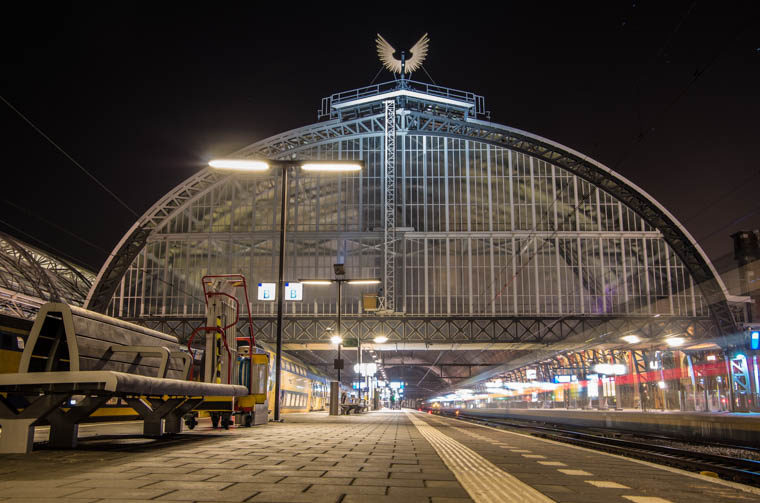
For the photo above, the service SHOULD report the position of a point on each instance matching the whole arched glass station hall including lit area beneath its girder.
(504, 257)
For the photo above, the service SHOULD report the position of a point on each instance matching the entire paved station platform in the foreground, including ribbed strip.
(393, 456)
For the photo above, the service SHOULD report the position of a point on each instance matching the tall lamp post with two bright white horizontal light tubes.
(259, 165)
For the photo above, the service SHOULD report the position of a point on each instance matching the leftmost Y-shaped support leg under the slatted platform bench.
(17, 436)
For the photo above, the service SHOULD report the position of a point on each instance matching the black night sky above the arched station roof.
(666, 93)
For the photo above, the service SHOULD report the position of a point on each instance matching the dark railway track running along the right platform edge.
(741, 470)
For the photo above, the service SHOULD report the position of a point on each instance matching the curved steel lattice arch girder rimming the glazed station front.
(292, 142)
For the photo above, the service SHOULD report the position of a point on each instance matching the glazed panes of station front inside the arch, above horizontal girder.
(481, 230)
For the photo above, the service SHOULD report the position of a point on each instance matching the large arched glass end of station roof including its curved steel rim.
(490, 221)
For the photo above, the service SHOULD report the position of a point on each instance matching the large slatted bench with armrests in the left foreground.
(75, 352)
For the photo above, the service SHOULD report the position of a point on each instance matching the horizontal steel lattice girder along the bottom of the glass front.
(526, 330)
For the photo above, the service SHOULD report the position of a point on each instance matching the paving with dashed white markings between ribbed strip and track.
(570, 474)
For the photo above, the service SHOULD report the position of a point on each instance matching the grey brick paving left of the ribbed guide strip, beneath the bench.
(375, 457)
